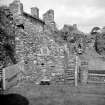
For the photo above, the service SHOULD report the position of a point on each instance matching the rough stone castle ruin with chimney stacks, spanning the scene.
(44, 53)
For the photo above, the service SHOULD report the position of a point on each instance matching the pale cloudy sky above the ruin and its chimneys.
(85, 13)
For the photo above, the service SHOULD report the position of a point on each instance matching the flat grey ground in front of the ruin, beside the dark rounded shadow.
(61, 95)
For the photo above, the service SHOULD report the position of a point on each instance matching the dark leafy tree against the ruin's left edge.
(7, 37)
